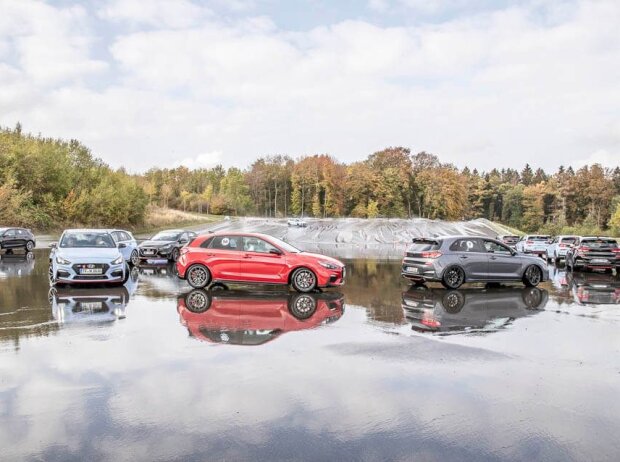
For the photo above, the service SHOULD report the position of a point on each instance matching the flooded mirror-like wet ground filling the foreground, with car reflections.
(376, 370)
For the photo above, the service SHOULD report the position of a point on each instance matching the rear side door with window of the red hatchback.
(223, 256)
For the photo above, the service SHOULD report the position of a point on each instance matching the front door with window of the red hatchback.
(262, 262)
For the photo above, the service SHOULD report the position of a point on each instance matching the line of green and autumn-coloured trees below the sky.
(47, 182)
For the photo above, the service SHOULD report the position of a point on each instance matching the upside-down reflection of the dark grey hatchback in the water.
(470, 310)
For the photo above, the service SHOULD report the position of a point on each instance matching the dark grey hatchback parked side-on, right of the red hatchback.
(455, 260)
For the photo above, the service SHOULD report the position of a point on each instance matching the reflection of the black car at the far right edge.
(594, 288)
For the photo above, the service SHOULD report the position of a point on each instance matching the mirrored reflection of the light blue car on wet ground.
(76, 305)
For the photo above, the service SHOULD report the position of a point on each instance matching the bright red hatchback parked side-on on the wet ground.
(256, 258)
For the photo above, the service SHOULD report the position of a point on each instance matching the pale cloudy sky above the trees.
(163, 82)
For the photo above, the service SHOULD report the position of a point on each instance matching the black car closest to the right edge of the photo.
(593, 253)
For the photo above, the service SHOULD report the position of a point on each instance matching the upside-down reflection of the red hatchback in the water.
(250, 318)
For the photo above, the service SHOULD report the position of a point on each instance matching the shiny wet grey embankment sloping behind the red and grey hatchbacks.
(354, 237)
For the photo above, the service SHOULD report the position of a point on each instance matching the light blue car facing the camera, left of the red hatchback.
(87, 256)
